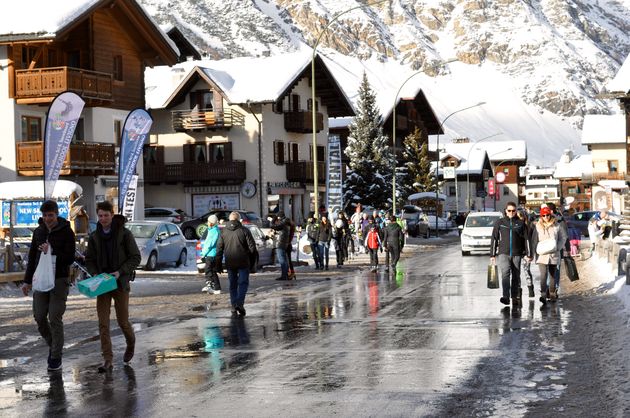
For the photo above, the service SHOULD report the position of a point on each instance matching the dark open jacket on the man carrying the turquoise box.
(125, 253)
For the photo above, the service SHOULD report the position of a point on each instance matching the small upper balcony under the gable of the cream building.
(205, 119)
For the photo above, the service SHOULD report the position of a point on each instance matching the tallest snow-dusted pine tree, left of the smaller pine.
(372, 162)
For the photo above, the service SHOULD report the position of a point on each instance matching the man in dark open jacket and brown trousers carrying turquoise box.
(112, 249)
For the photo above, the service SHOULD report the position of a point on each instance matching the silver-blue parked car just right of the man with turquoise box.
(159, 243)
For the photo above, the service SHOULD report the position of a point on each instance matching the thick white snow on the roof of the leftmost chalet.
(53, 17)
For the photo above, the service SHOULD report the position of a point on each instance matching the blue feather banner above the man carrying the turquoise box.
(135, 131)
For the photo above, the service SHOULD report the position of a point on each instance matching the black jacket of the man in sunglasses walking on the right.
(509, 237)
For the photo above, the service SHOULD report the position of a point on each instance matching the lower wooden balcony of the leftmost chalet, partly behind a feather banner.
(82, 159)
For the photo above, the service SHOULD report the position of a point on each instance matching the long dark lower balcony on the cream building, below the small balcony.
(226, 171)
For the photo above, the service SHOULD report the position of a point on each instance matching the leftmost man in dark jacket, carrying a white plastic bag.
(52, 234)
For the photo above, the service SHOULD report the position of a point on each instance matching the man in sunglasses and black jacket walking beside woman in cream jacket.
(509, 244)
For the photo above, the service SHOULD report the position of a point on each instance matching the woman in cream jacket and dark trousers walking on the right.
(547, 242)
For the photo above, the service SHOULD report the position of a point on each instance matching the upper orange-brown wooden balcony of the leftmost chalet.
(41, 85)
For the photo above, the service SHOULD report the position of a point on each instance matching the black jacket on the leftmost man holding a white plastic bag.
(60, 239)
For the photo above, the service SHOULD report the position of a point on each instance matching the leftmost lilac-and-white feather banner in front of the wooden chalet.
(63, 116)
